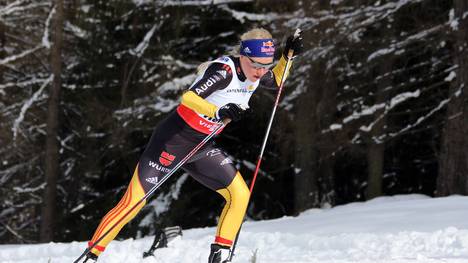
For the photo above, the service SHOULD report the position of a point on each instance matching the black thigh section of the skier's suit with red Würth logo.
(171, 141)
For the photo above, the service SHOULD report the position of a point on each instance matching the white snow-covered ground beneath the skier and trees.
(406, 229)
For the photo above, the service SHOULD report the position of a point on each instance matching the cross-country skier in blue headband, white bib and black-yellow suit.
(221, 90)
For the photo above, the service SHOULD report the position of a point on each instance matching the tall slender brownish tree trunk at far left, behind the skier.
(52, 144)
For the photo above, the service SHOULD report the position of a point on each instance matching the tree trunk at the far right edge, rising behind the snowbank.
(453, 163)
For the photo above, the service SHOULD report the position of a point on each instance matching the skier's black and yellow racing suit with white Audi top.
(220, 83)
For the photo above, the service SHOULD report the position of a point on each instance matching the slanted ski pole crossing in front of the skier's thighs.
(156, 186)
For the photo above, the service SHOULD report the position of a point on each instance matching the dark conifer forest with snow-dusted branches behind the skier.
(376, 105)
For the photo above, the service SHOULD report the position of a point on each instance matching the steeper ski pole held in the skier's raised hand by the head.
(265, 139)
